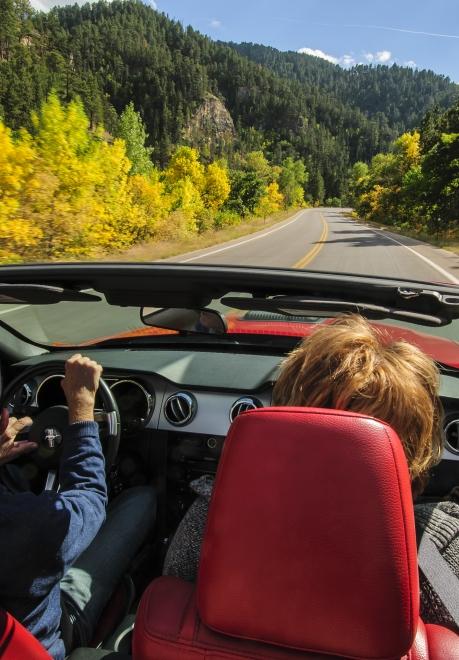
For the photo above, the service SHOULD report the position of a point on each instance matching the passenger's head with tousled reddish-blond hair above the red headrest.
(349, 365)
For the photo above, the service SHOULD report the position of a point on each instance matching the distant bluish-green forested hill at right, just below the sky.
(403, 95)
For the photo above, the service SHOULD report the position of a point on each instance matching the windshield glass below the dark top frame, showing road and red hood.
(99, 323)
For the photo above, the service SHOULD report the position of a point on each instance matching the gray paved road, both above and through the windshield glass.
(317, 239)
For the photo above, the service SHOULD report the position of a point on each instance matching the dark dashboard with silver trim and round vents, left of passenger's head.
(167, 390)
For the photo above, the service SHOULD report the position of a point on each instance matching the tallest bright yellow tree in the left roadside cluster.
(89, 207)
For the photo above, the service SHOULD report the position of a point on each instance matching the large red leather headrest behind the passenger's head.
(310, 540)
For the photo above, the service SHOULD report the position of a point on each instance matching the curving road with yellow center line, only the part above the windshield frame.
(328, 239)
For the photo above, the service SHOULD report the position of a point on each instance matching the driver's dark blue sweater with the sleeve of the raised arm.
(42, 535)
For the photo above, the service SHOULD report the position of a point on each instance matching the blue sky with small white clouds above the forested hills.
(422, 33)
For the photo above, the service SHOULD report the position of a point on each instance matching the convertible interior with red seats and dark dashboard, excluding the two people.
(305, 555)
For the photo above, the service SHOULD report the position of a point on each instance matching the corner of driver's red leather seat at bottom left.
(16, 643)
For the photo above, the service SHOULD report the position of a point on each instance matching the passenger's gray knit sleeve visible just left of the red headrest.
(182, 558)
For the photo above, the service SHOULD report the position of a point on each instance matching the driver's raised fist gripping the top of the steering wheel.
(80, 385)
